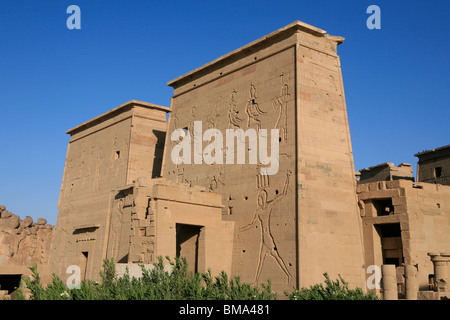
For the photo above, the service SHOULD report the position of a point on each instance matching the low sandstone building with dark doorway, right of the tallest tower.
(422, 212)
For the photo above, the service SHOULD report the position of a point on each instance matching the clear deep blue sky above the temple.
(396, 79)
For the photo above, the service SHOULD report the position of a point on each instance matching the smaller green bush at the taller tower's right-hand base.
(334, 290)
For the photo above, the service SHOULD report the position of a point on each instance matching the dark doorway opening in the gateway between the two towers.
(190, 245)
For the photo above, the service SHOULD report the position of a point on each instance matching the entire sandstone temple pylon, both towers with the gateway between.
(250, 224)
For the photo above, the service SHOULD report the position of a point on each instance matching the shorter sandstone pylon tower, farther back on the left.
(104, 155)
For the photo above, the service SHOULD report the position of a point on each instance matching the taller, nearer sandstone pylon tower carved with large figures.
(303, 221)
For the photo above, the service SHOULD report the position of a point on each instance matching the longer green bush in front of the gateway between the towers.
(155, 284)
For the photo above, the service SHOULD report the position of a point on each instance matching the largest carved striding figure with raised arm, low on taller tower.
(264, 208)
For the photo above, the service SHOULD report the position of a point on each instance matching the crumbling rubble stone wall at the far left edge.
(24, 242)
